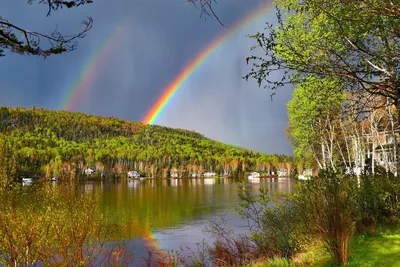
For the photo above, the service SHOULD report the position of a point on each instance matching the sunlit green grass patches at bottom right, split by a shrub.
(381, 249)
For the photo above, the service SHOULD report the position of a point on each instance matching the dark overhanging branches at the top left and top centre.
(16, 39)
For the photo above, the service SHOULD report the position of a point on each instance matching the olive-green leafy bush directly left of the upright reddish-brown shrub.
(275, 223)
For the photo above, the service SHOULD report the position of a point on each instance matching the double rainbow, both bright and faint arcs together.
(98, 59)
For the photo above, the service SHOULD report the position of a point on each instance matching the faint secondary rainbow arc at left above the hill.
(93, 65)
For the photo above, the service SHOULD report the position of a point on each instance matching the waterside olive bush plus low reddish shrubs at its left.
(275, 230)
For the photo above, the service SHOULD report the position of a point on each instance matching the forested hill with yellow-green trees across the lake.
(47, 143)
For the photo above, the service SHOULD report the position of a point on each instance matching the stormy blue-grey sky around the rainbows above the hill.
(159, 38)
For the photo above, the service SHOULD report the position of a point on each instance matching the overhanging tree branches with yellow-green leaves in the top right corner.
(357, 42)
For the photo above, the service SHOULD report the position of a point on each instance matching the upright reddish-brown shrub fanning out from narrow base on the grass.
(330, 202)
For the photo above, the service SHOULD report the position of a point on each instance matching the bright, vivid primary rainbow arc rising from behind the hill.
(155, 111)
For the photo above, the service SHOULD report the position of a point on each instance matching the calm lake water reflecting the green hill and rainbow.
(172, 213)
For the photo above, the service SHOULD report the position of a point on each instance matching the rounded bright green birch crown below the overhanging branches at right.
(312, 112)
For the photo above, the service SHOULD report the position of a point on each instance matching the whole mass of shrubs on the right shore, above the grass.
(329, 207)
